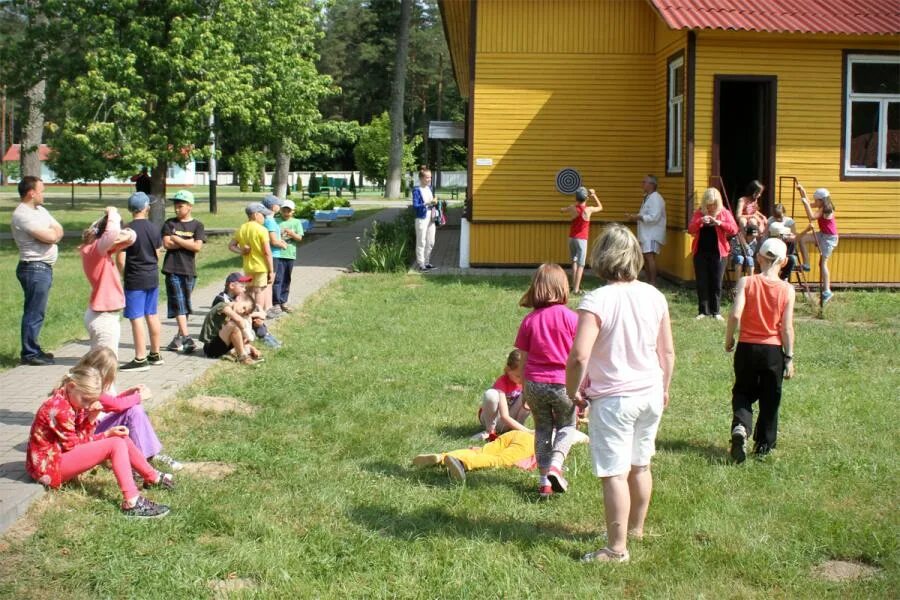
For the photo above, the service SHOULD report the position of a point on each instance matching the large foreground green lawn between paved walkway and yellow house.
(324, 502)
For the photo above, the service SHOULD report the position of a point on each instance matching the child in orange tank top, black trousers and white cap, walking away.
(764, 310)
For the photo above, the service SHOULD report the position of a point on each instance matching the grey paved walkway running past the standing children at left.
(23, 388)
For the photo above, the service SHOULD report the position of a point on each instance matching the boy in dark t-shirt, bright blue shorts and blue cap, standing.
(141, 283)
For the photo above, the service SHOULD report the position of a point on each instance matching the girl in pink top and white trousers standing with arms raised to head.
(100, 243)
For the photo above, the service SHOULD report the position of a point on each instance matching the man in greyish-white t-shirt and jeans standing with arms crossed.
(36, 233)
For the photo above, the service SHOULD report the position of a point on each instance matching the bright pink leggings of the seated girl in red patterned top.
(123, 454)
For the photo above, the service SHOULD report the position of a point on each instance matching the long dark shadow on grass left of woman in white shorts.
(439, 522)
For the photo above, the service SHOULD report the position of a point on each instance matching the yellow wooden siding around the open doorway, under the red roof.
(808, 136)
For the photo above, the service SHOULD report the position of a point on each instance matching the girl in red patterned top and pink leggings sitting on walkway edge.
(63, 444)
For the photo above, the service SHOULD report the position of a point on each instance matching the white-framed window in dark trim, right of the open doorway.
(872, 116)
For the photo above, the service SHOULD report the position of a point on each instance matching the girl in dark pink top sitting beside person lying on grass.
(502, 407)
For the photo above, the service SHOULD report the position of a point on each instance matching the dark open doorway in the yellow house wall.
(744, 135)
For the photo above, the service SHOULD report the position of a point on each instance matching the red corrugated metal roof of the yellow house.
(854, 17)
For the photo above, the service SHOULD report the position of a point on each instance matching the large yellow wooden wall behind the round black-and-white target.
(562, 84)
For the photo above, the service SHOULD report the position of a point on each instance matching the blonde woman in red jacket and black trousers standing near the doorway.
(712, 226)
